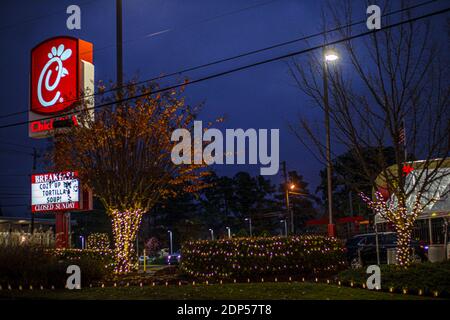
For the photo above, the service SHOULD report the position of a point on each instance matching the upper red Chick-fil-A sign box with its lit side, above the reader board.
(61, 69)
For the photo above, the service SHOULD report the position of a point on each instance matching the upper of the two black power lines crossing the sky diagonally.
(238, 56)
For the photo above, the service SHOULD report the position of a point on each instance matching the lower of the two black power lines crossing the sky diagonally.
(230, 71)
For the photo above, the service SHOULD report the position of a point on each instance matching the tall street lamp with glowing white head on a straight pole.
(329, 56)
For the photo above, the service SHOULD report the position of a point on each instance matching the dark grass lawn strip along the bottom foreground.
(285, 291)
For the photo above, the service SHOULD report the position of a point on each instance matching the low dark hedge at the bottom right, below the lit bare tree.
(427, 277)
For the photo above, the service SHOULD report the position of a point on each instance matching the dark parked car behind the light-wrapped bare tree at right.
(361, 249)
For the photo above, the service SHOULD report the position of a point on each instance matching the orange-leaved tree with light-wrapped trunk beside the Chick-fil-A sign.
(124, 155)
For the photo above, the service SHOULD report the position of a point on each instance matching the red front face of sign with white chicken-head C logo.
(54, 75)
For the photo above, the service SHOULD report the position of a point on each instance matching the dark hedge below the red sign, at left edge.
(36, 266)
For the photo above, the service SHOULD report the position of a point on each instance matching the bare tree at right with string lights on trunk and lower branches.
(392, 90)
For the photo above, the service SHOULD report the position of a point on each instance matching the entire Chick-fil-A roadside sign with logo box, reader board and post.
(61, 82)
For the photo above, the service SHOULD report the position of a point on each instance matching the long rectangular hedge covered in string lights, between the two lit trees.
(253, 258)
